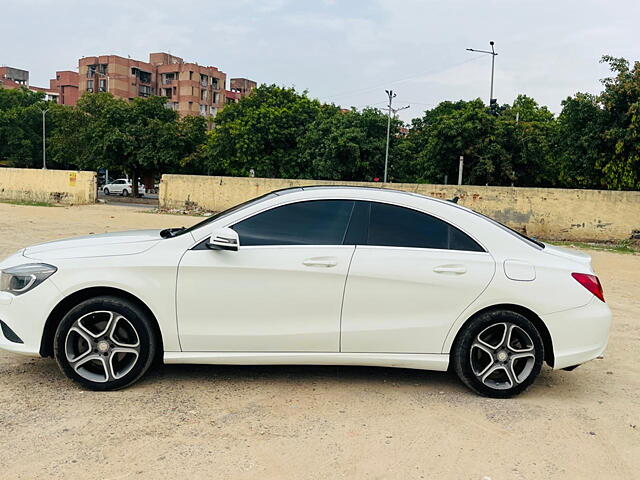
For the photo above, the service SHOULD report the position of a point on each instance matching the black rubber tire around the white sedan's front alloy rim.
(89, 309)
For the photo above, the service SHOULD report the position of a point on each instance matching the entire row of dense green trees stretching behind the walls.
(278, 132)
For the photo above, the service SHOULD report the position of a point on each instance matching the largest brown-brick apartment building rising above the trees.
(189, 88)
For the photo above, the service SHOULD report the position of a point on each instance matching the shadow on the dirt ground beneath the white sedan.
(45, 371)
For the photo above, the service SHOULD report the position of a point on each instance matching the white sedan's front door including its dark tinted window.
(280, 292)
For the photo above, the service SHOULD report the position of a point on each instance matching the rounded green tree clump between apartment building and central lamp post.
(277, 132)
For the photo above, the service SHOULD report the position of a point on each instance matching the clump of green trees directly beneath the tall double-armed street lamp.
(512, 146)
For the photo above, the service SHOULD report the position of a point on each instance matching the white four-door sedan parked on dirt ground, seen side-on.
(312, 275)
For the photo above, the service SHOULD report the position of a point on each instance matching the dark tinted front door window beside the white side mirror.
(319, 222)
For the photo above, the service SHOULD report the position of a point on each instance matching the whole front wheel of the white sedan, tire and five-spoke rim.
(105, 343)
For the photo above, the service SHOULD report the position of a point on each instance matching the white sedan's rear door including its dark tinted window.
(411, 276)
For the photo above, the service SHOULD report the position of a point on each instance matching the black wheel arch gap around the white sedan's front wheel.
(66, 304)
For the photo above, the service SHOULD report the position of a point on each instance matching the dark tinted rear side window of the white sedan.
(395, 226)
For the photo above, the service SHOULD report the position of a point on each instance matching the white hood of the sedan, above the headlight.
(100, 245)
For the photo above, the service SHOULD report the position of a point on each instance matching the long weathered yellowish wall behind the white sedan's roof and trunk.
(549, 213)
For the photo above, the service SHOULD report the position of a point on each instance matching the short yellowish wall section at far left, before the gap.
(51, 186)
